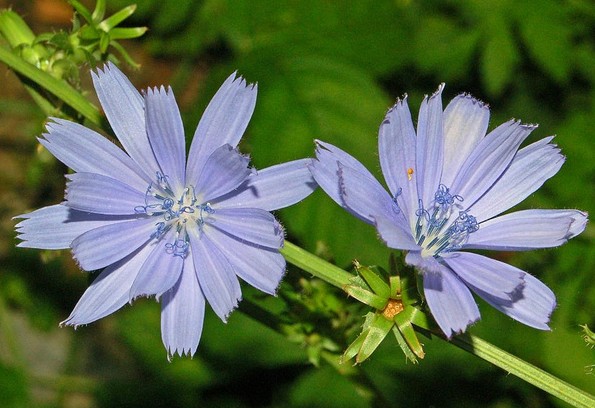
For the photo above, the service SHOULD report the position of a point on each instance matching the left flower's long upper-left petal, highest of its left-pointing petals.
(84, 150)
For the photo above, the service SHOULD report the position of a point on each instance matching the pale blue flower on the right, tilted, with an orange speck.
(448, 183)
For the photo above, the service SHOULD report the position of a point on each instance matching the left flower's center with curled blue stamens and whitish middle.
(178, 212)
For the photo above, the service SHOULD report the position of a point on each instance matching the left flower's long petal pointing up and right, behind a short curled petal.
(223, 122)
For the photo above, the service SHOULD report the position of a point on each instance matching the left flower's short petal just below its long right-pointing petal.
(252, 225)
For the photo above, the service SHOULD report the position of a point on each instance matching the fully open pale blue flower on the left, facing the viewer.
(182, 230)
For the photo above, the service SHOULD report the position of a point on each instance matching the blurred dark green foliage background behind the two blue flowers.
(326, 70)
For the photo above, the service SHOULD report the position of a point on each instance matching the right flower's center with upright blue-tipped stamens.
(444, 226)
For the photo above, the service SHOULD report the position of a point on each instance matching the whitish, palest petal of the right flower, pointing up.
(465, 125)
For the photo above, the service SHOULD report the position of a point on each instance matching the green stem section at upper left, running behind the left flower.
(57, 87)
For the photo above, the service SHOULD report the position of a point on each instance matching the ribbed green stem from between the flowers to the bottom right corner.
(472, 344)
